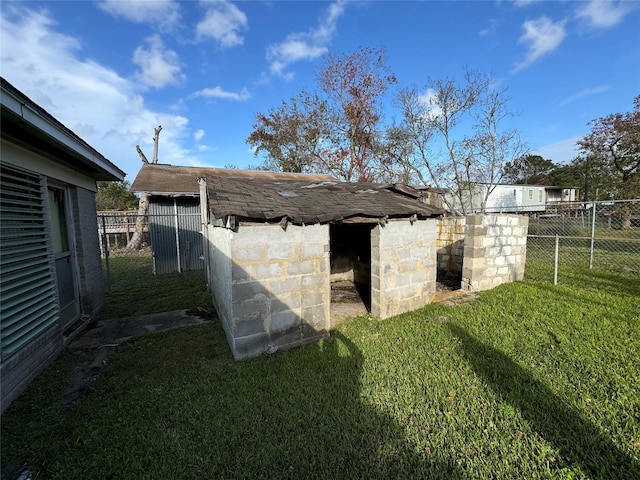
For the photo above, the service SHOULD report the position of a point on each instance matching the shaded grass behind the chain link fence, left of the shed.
(135, 290)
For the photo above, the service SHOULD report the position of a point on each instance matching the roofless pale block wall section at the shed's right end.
(495, 250)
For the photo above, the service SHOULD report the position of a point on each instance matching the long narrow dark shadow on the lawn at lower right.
(578, 440)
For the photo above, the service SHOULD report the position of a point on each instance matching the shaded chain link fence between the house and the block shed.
(163, 272)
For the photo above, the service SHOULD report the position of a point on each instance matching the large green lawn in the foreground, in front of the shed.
(527, 381)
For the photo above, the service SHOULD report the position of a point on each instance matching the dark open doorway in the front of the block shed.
(350, 259)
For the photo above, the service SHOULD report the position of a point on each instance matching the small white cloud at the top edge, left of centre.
(222, 21)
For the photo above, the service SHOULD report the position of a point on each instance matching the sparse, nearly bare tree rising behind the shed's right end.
(434, 134)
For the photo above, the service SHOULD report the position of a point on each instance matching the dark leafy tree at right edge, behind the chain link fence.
(614, 142)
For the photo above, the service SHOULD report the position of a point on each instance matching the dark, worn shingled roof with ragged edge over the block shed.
(311, 201)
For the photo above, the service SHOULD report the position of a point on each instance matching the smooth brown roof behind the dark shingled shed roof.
(172, 180)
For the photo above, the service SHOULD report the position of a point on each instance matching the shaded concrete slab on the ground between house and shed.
(108, 332)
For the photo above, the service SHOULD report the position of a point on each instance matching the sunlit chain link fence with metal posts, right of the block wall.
(602, 235)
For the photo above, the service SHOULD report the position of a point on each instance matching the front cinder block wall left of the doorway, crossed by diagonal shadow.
(279, 287)
